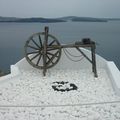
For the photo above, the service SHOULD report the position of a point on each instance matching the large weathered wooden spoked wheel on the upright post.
(36, 49)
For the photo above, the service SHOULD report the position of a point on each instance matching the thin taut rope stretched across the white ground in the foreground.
(68, 105)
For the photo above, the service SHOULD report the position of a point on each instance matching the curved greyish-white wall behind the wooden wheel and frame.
(65, 63)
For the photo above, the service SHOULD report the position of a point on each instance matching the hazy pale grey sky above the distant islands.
(58, 8)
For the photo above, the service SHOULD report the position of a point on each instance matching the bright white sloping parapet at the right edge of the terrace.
(114, 75)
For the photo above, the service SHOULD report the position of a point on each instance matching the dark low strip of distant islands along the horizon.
(56, 20)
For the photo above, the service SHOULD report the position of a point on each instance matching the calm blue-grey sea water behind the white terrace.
(14, 35)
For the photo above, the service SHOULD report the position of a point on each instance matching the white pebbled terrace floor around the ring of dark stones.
(30, 97)
